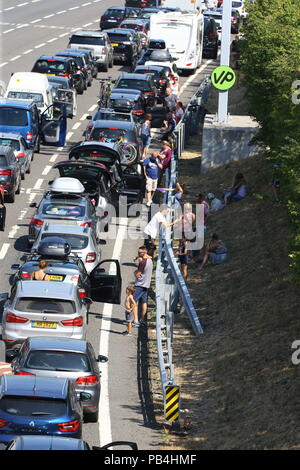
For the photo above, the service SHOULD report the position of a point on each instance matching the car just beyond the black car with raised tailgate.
(105, 130)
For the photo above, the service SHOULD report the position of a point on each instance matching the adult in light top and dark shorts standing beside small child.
(143, 276)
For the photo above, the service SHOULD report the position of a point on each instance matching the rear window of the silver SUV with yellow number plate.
(45, 305)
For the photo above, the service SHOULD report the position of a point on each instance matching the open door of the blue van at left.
(53, 126)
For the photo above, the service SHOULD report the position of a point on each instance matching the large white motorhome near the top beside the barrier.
(183, 35)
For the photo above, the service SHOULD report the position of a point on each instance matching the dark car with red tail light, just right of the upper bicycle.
(128, 101)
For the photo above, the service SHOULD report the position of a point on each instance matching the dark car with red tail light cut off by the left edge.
(10, 173)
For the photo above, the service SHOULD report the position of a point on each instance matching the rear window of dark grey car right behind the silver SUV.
(66, 361)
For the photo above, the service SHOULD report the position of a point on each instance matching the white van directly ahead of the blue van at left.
(30, 86)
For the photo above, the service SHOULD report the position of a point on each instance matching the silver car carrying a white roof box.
(73, 207)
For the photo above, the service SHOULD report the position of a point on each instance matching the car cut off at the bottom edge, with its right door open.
(63, 443)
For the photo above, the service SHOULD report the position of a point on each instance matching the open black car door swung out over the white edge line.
(106, 285)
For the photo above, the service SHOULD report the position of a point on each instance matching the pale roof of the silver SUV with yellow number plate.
(46, 289)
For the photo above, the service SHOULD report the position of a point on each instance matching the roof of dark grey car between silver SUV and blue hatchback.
(49, 342)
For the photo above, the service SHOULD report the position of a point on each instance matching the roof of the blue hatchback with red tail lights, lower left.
(27, 385)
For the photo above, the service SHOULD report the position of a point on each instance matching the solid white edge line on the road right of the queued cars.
(105, 433)
